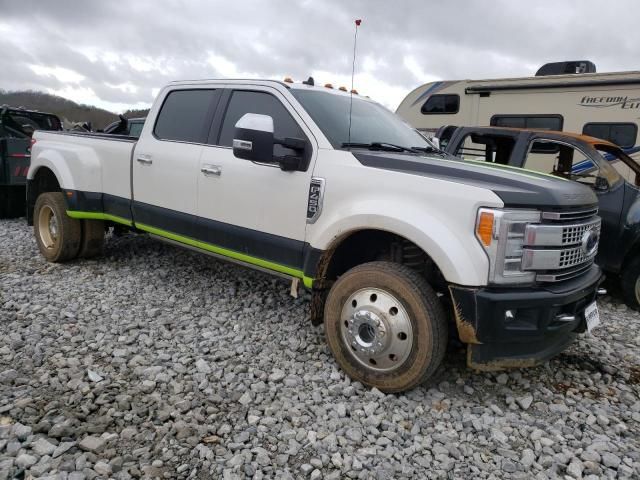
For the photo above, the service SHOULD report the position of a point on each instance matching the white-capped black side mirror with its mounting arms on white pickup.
(254, 140)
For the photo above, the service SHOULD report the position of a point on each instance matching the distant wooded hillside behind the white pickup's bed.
(67, 110)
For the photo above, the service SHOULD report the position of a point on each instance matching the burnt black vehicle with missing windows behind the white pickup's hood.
(602, 165)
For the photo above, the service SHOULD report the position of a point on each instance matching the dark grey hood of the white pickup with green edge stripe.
(516, 187)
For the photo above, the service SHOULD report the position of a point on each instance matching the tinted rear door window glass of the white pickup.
(183, 116)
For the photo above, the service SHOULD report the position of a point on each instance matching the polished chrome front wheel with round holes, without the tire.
(376, 329)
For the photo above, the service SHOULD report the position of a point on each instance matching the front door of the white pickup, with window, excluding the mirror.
(254, 209)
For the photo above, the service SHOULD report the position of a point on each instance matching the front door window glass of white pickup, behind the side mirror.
(245, 101)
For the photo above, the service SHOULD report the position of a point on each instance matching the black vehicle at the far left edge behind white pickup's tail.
(16, 127)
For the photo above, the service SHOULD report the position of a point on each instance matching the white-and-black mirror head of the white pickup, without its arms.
(253, 138)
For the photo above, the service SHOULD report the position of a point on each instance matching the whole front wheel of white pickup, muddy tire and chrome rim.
(385, 326)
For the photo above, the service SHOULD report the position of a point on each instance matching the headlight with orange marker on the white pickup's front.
(501, 233)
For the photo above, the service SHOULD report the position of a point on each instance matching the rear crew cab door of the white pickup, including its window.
(166, 161)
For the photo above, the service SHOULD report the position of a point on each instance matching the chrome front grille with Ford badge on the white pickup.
(562, 247)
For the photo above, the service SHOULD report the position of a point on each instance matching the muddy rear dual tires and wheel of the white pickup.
(58, 235)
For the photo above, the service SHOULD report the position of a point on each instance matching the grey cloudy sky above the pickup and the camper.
(116, 54)
